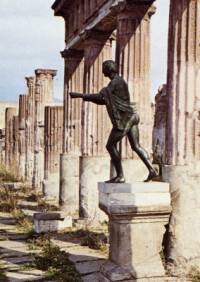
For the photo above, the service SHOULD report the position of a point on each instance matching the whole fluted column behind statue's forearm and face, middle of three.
(95, 162)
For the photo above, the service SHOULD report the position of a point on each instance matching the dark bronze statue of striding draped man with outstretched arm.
(124, 119)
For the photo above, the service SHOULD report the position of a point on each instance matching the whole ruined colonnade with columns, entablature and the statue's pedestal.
(60, 149)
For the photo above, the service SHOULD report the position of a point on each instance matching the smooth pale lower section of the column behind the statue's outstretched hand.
(69, 184)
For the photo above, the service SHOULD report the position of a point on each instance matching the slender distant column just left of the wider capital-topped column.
(29, 130)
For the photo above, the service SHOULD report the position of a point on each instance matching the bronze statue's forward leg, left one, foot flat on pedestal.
(114, 138)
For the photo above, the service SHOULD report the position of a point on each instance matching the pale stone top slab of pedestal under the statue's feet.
(128, 197)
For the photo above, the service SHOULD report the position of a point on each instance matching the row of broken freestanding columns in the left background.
(33, 134)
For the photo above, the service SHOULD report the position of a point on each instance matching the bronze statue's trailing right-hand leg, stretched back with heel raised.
(133, 136)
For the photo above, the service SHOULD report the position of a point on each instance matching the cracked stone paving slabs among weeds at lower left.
(15, 256)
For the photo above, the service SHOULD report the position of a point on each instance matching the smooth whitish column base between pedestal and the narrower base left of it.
(92, 170)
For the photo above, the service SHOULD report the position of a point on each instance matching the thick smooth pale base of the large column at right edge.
(183, 252)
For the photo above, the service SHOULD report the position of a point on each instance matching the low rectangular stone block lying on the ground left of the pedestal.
(51, 221)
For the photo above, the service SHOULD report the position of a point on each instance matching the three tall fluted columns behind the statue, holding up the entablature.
(85, 163)
